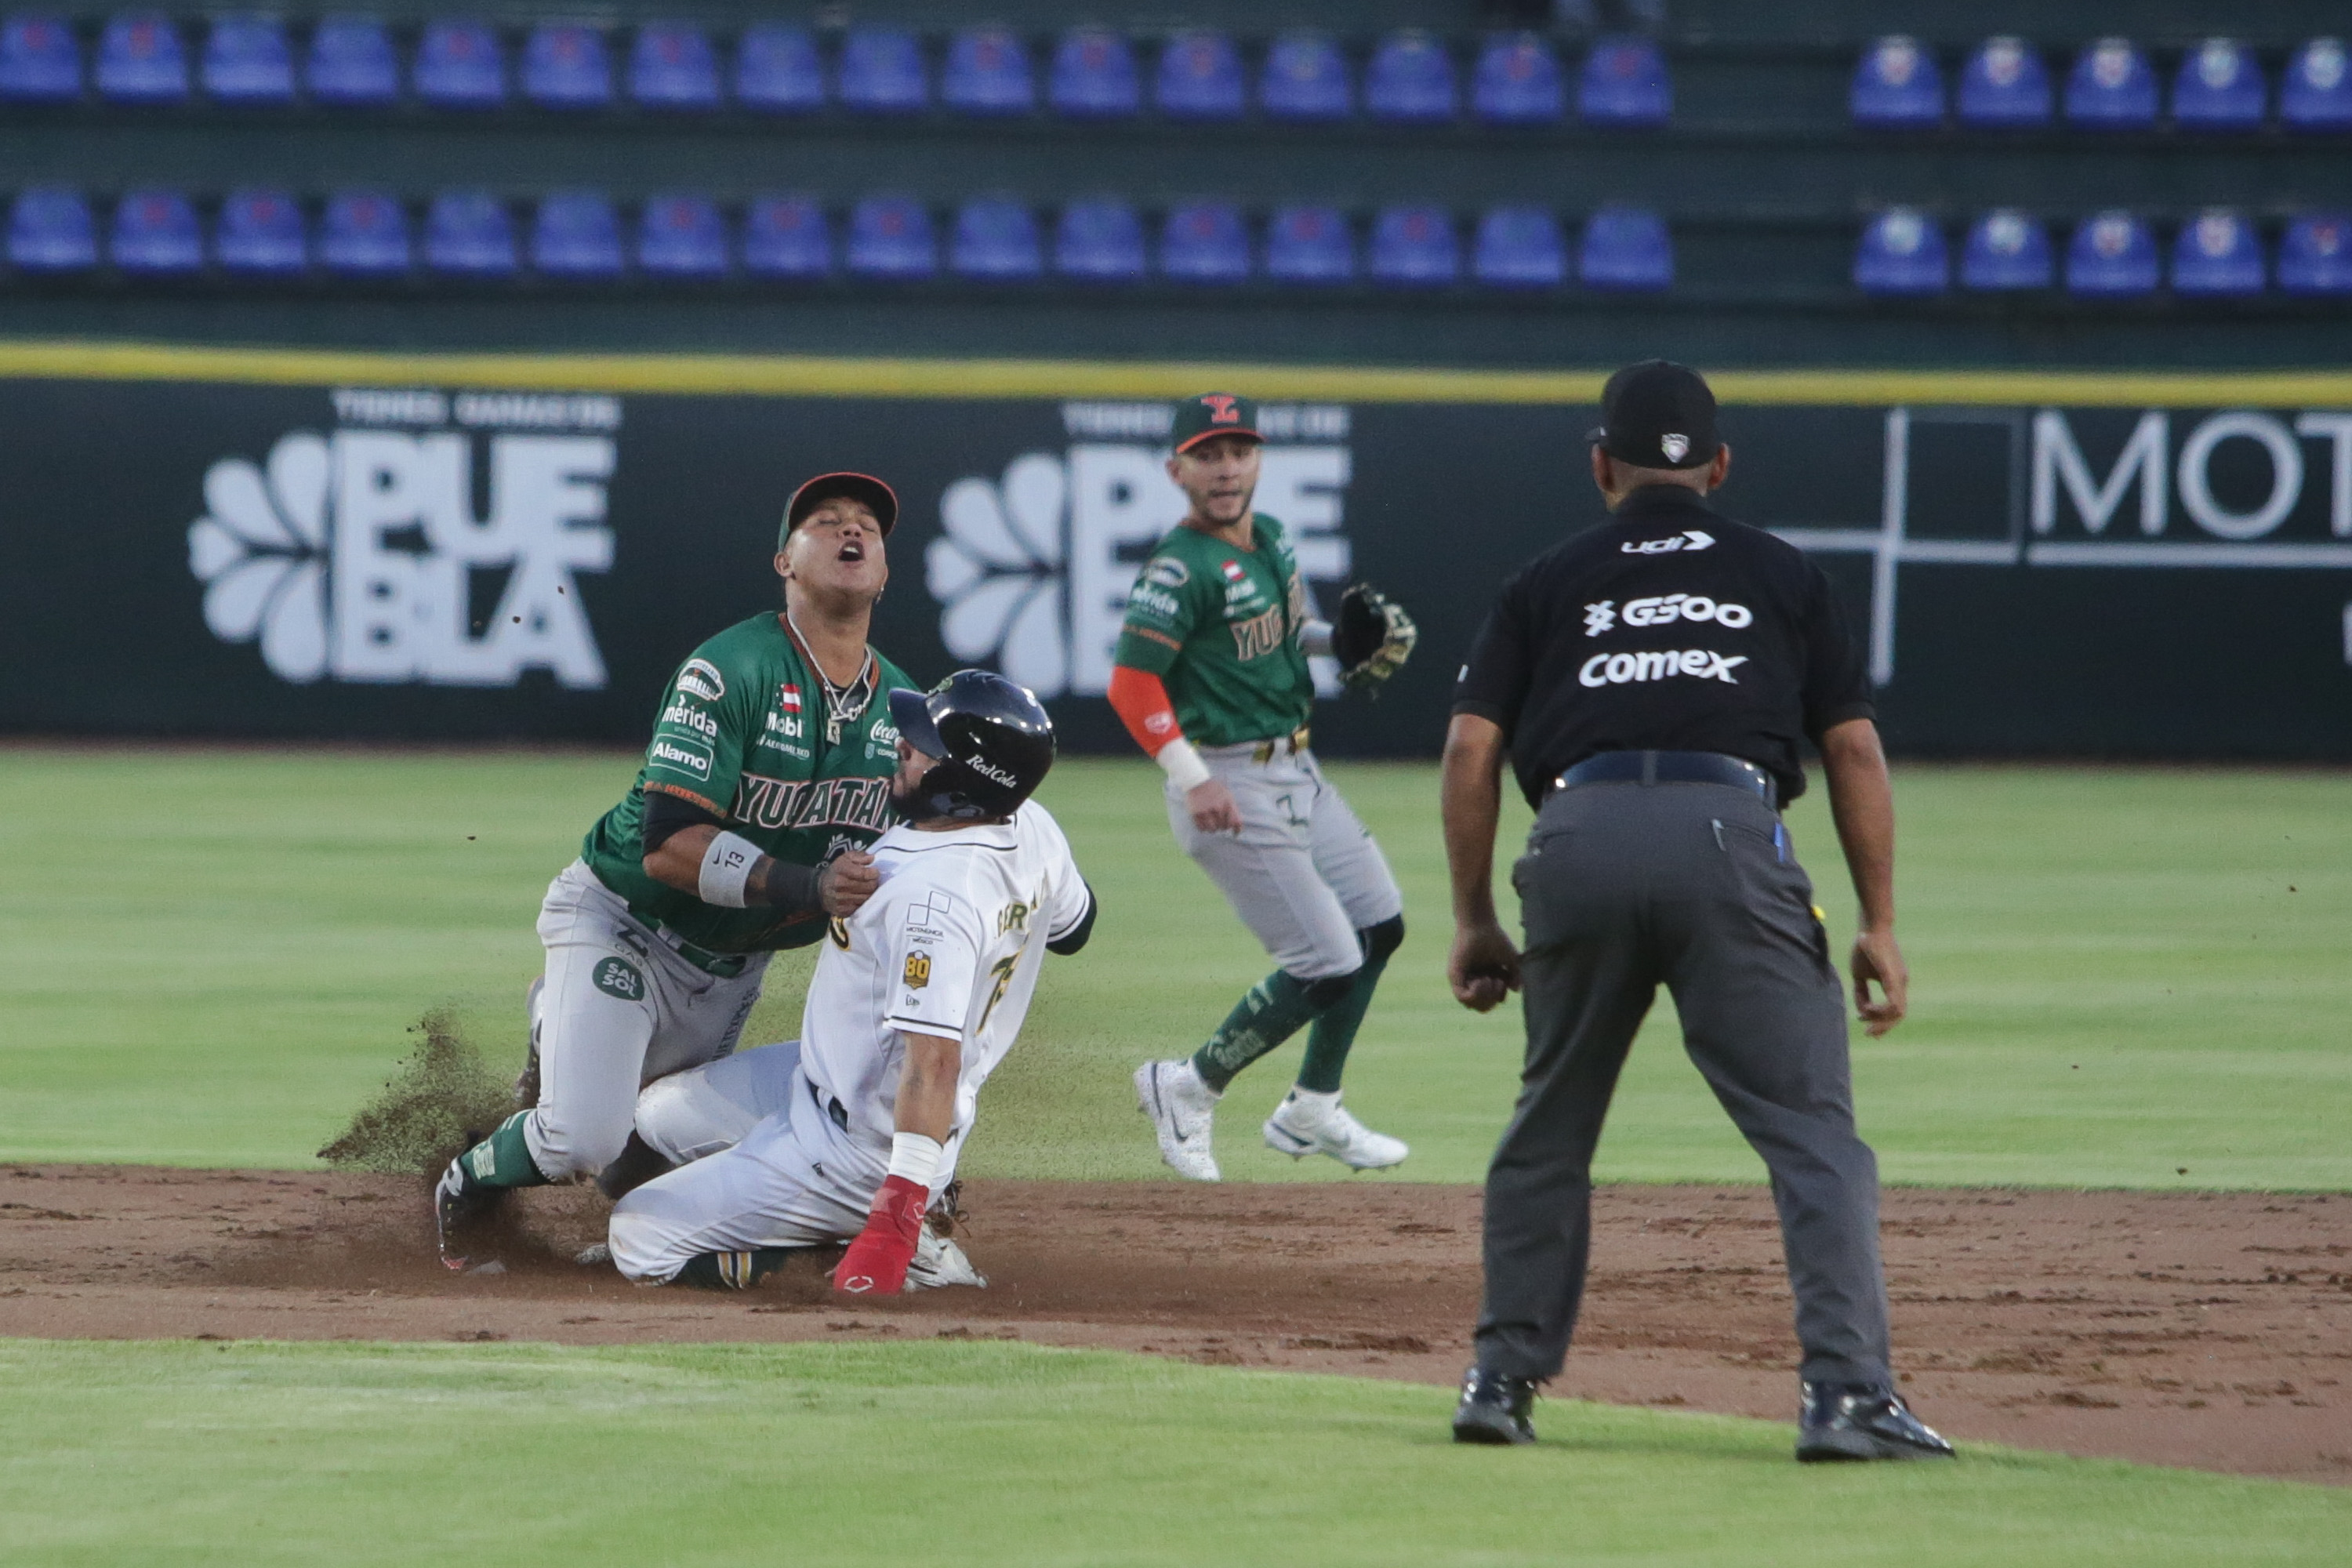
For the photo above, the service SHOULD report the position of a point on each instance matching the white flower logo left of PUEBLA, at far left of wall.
(262, 556)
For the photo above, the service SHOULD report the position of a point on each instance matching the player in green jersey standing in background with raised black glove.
(1212, 681)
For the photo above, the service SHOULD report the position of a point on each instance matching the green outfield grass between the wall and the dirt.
(213, 958)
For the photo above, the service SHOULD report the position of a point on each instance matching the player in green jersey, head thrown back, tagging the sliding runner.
(766, 782)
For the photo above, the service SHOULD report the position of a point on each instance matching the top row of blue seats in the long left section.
(1412, 79)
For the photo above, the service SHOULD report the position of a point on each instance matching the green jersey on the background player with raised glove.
(1220, 626)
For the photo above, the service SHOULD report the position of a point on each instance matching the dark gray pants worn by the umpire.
(1690, 885)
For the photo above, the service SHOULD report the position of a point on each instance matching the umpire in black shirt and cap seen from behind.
(1650, 683)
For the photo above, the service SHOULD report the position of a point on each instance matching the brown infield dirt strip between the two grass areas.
(2200, 1329)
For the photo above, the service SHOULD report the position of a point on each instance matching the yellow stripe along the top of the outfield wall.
(843, 377)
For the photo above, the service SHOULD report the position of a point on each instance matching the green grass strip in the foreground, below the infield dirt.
(994, 1454)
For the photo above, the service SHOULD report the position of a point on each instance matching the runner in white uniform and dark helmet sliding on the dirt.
(853, 1132)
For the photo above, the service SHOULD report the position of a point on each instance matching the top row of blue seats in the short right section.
(2113, 86)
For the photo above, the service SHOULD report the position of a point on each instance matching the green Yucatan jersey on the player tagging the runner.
(742, 735)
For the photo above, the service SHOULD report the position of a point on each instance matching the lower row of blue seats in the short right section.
(2113, 255)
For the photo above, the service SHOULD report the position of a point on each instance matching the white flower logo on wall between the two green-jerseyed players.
(998, 572)
